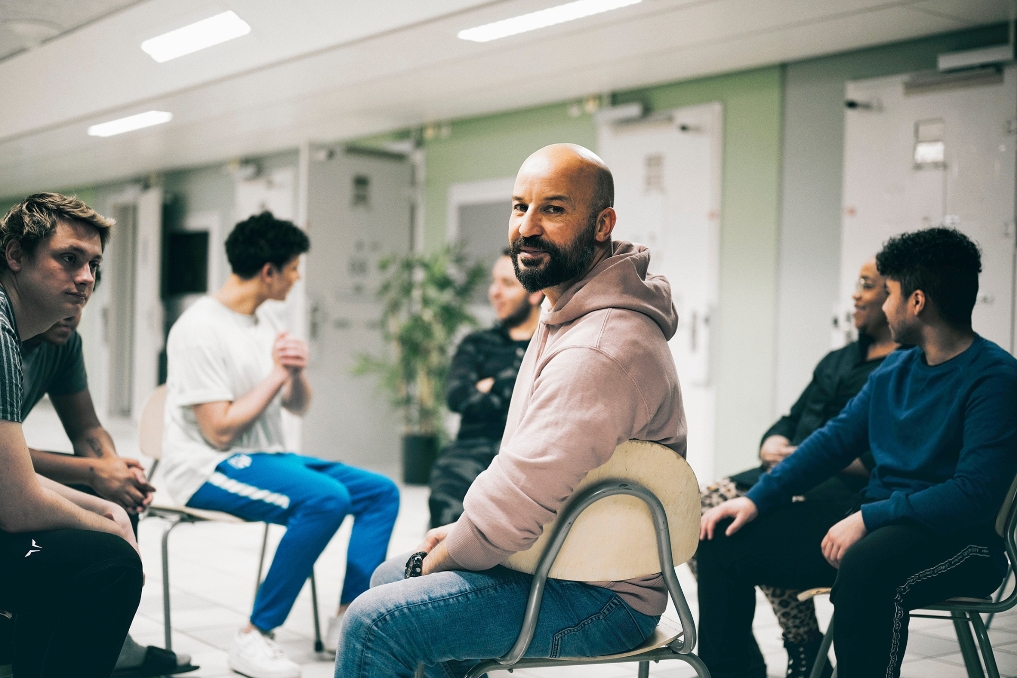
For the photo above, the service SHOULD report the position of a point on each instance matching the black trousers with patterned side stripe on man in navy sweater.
(882, 578)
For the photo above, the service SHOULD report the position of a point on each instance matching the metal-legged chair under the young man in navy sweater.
(966, 613)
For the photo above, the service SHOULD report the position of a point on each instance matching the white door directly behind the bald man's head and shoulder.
(668, 182)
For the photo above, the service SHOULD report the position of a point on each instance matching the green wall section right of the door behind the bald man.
(746, 319)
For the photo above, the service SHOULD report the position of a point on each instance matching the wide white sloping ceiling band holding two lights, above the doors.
(423, 73)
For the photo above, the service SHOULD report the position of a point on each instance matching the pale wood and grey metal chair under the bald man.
(644, 497)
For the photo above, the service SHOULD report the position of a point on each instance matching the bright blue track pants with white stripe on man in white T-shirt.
(312, 498)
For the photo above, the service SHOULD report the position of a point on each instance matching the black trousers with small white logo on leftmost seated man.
(74, 594)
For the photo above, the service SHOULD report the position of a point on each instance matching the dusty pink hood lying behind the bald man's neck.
(621, 281)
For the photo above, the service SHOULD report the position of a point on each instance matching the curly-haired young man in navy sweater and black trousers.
(940, 421)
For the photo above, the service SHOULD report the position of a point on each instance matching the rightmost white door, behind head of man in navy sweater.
(915, 160)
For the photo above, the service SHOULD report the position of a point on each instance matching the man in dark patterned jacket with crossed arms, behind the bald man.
(481, 383)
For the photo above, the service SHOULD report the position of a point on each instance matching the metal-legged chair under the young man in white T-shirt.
(151, 444)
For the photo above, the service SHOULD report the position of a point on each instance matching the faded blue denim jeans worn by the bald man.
(449, 621)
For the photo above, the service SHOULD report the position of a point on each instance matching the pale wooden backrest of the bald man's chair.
(615, 539)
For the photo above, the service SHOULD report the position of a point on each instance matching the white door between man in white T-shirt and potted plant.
(358, 213)
